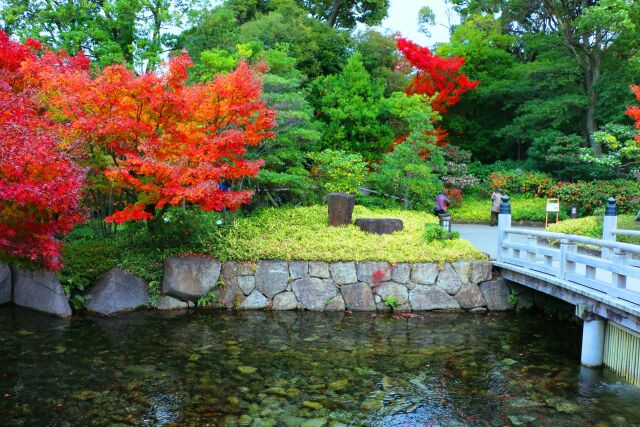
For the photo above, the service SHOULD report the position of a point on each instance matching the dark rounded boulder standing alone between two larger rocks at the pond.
(117, 291)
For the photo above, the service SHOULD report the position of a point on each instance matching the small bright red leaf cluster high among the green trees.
(436, 75)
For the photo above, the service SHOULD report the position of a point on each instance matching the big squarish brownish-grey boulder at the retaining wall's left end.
(190, 277)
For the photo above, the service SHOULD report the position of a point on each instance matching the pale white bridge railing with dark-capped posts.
(615, 271)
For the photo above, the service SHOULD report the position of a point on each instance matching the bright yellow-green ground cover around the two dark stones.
(302, 233)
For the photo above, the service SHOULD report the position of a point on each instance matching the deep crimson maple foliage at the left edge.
(39, 185)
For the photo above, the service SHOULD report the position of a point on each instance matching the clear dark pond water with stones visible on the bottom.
(302, 369)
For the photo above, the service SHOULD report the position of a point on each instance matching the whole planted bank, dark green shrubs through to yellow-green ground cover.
(285, 233)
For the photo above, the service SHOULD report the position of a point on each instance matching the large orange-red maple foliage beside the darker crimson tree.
(157, 138)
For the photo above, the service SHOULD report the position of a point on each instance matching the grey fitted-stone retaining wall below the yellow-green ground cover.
(315, 285)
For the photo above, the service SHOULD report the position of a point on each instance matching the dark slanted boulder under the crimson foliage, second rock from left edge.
(40, 291)
